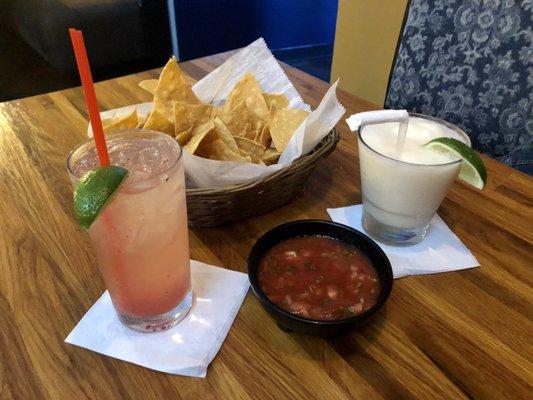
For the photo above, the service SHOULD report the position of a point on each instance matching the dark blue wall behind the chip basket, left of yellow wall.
(211, 26)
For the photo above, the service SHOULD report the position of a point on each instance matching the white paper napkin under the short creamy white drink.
(440, 251)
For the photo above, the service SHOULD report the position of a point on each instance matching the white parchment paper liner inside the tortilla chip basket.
(216, 86)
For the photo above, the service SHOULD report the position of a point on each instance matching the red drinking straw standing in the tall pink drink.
(86, 78)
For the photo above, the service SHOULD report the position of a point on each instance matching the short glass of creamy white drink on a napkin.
(402, 190)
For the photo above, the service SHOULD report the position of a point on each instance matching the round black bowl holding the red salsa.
(291, 322)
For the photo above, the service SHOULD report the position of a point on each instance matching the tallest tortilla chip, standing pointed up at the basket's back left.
(171, 88)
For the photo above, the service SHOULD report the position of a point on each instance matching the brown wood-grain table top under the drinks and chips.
(456, 335)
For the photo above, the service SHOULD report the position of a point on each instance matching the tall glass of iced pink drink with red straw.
(141, 237)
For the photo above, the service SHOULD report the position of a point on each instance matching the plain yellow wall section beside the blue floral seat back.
(365, 42)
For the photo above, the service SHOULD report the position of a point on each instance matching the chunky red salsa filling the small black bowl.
(319, 278)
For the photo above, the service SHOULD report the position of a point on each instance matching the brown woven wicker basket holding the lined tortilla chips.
(211, 207)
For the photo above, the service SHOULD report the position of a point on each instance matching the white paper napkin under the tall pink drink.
(186, 349)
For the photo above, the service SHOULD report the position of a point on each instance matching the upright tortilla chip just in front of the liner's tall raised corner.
(247, 91)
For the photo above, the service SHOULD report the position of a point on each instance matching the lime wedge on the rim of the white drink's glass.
(472, 170)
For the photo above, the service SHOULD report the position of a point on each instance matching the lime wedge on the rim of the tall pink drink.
(93, 192)
